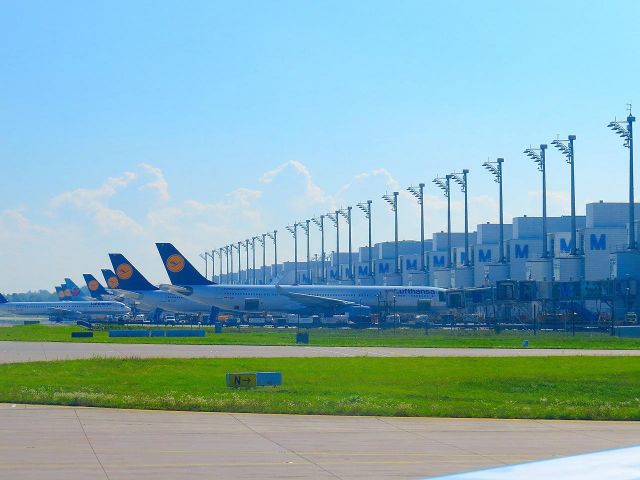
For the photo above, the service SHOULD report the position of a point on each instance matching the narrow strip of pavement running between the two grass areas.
(33, 351)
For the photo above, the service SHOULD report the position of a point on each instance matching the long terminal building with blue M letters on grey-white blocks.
(601, 255)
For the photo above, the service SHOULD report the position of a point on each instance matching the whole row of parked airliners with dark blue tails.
(191, 293)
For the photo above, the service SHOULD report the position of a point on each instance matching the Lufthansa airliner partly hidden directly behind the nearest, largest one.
(130, 283)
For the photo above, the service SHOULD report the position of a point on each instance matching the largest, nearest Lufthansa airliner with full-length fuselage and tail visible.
(356, 301)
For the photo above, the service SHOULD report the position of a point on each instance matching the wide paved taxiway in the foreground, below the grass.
(66, 443)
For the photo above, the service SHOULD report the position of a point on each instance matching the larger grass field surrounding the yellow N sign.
(548, 387)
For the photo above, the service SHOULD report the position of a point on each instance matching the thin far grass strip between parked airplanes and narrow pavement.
(338, 337)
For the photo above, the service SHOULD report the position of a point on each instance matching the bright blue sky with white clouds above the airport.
(202, 123)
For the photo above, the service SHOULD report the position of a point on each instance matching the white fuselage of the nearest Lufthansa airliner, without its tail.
(275, 299)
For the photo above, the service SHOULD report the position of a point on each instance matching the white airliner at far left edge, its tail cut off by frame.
(74, 309)
